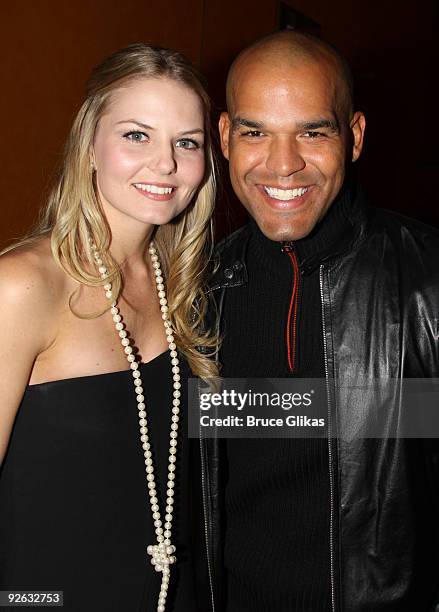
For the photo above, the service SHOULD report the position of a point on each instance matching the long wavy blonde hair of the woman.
(73, 214)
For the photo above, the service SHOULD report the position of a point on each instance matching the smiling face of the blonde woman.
(148, 151)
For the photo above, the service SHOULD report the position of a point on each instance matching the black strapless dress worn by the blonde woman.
(74, 507)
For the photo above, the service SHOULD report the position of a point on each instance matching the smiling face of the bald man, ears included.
(287, 140)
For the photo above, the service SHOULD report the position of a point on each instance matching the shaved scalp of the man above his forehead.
(291, 49)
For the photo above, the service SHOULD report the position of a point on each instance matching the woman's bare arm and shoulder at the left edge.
(26, 306)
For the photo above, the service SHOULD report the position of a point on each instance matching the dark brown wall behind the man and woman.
(49, 46)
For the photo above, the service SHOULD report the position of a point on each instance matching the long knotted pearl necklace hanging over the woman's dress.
(161, 552)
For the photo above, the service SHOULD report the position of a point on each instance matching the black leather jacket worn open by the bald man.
(380, 313)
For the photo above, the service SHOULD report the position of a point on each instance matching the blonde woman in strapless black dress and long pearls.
(87, 323)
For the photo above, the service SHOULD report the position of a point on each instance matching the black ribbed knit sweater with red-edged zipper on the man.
(277, 494)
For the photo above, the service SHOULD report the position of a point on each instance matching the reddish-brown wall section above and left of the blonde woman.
(47, 50)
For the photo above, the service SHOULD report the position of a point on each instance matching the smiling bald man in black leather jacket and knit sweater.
(319, 286)
